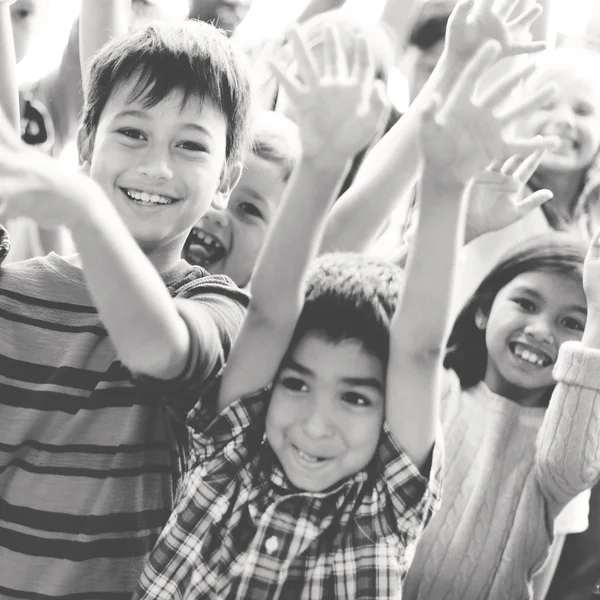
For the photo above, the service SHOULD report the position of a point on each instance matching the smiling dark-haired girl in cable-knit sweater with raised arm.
(503, 488)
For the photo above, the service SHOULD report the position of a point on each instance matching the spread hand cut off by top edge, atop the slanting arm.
(474, 22)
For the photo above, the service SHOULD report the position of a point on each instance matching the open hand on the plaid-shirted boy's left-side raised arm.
(340, 111)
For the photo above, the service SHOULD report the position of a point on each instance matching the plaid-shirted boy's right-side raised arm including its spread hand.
(457, 140)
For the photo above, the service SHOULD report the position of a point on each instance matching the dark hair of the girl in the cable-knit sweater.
(554, 252)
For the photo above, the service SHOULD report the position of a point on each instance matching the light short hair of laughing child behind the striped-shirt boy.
(276, 139)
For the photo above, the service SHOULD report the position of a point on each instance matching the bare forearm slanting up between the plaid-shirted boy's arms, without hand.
(388, 174)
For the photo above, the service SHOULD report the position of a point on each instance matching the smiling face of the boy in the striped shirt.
(160, 166)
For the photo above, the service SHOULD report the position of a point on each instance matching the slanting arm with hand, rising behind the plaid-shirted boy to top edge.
(391, 169)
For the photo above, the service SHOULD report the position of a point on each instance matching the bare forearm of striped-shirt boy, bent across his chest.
(135, 306)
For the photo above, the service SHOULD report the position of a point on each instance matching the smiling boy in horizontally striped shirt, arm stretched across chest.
(99, 367)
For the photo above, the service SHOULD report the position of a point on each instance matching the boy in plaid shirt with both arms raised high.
(320, 469)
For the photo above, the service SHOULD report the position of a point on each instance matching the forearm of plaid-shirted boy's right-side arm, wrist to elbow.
(422, 320)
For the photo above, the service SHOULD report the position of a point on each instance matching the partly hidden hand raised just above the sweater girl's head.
(496, 198)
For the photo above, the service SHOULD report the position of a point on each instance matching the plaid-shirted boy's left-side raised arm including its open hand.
(324, 107)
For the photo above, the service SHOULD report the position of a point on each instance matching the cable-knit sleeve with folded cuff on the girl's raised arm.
(568, 448)
